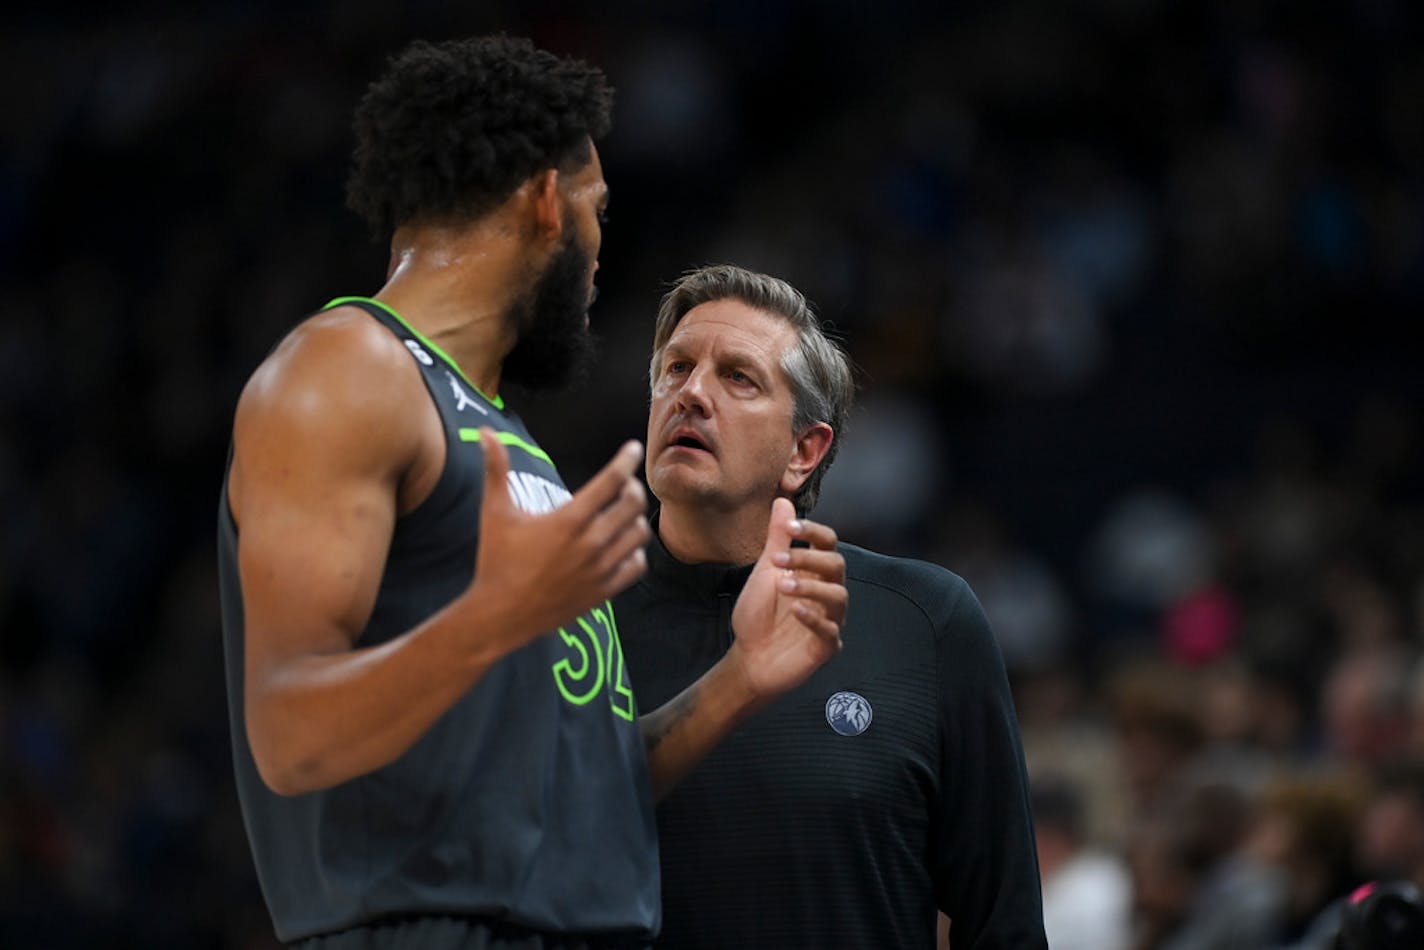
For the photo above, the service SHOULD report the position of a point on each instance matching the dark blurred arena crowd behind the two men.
(1134, 288)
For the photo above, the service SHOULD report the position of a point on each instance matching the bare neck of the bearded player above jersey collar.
(456, 288)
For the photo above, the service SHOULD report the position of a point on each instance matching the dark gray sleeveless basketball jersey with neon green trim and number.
(529, 801)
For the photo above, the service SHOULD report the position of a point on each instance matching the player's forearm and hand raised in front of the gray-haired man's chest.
(788, 625)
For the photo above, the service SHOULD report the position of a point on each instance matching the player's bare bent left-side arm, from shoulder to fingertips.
(335, 438)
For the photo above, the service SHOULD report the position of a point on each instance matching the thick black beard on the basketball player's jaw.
(555, 347)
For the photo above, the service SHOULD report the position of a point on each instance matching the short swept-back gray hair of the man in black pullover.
(818, 368)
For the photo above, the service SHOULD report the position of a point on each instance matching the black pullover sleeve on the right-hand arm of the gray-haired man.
(986, 864)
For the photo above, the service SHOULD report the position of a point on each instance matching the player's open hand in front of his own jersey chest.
(552, 568)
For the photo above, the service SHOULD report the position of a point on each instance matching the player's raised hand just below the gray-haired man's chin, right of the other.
(790, 615)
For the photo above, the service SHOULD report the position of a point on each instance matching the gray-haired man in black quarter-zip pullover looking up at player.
(891, 784)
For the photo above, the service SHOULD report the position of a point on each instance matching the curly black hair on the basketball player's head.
(454, 129)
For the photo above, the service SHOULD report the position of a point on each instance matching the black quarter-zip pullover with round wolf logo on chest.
(891, 784)
